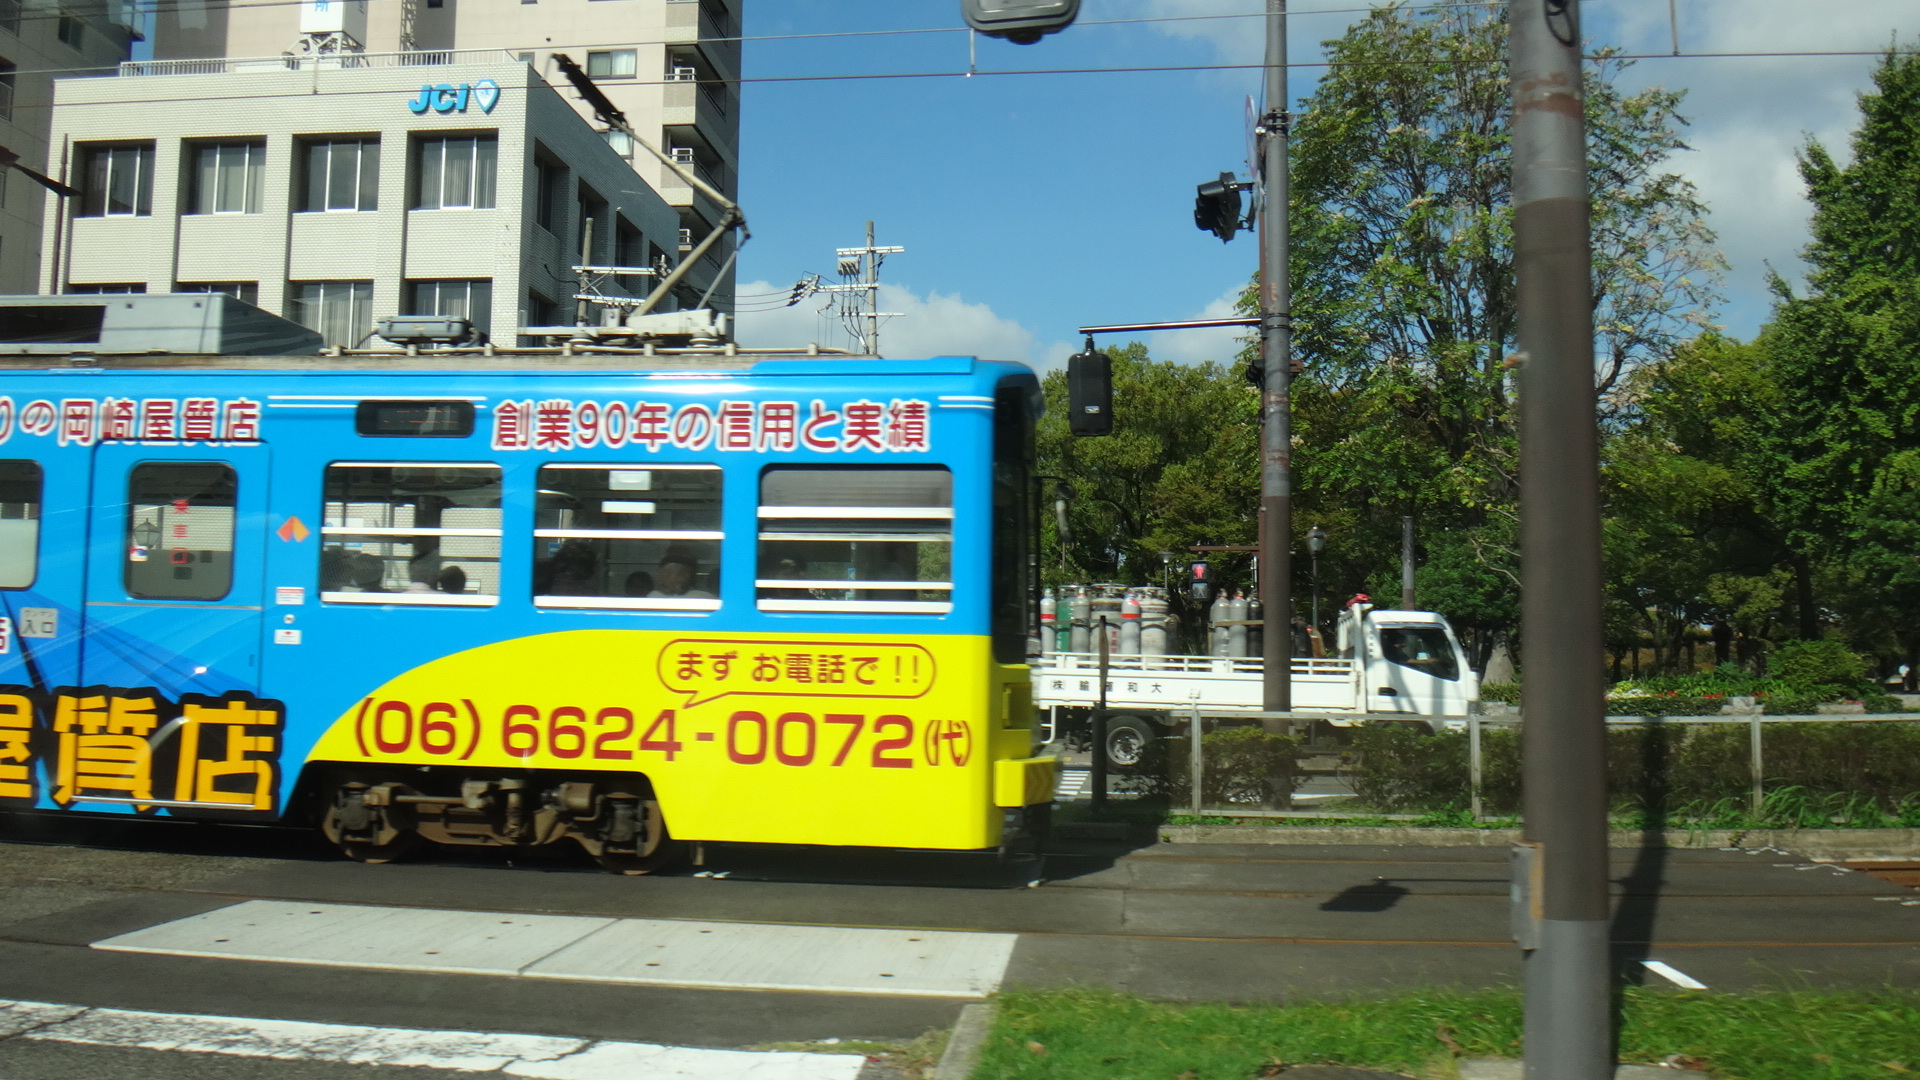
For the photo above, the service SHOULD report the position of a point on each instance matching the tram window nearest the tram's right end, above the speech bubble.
(846, 539)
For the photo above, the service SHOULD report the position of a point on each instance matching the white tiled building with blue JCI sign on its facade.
(348, 187)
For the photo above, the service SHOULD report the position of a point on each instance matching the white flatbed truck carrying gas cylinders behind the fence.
(1393, 666)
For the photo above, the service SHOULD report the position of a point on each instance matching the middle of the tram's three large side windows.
(621, 537)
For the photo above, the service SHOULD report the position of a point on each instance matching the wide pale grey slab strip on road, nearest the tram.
(660, 952)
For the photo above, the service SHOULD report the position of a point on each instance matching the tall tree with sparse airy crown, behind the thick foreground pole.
(1404, 282)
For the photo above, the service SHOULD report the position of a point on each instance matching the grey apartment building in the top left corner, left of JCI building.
(41, 41)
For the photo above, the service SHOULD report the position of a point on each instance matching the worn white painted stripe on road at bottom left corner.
(542, 1058)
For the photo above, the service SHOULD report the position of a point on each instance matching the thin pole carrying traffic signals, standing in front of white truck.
(1276, 345)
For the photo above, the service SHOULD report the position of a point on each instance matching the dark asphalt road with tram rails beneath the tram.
(1239, 923)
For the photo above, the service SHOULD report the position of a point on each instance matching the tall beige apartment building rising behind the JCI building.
(673, 66)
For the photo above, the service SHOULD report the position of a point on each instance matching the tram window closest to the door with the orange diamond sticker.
(412, 533)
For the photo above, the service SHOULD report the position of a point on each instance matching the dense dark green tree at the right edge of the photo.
(1844, 437)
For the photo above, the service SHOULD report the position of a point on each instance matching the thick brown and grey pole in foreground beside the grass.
(1568, 970)
